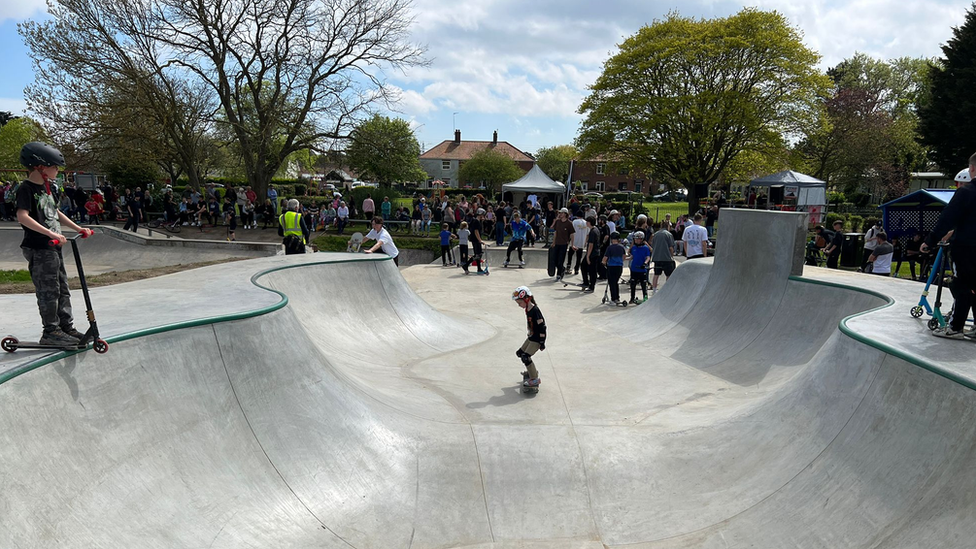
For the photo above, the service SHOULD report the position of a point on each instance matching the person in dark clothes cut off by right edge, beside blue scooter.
(959, 216)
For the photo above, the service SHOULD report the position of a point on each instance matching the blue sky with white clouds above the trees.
(522, 68)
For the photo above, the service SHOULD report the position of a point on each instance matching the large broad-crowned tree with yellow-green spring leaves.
(683, 97)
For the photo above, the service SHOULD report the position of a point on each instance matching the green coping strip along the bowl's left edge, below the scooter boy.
(30, 366)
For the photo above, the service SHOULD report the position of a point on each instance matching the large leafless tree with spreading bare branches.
(285, 75)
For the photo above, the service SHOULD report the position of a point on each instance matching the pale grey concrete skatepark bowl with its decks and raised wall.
(739, 407)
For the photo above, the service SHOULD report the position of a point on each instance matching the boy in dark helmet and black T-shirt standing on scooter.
(37, 212)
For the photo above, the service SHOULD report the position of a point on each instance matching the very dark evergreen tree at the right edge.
(946, 118)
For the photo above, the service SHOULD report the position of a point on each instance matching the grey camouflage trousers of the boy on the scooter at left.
(51, 286)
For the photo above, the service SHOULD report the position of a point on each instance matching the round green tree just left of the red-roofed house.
(385, 150)
